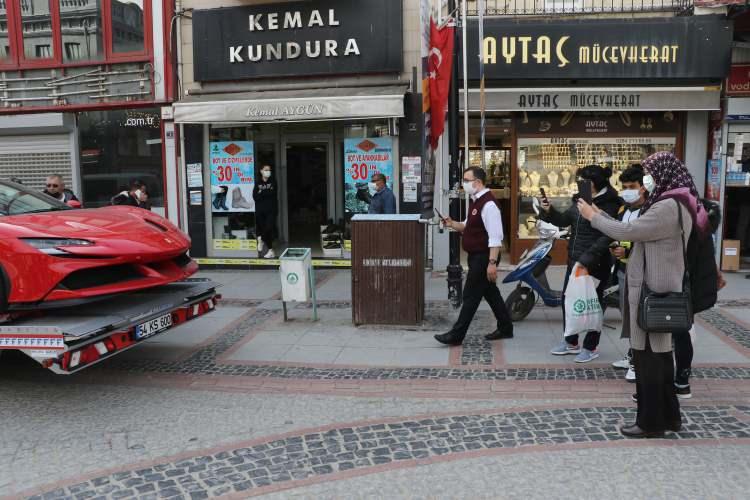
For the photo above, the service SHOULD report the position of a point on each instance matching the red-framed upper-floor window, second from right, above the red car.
(81, 28)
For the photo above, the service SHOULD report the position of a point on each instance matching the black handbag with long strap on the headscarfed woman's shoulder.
(670, 312)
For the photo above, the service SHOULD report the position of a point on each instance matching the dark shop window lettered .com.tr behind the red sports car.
(118, 147)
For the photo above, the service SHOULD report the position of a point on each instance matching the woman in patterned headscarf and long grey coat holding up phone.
(656, 259)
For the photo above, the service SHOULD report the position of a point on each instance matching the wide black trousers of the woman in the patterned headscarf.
(658, 407)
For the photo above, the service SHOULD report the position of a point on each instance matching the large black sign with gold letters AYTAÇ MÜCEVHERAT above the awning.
(688, 47)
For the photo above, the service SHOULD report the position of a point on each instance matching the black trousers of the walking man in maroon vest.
(477, 287)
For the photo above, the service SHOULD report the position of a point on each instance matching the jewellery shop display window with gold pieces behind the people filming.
(551, 164)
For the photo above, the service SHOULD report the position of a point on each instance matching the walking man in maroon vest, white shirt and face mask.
(482, 238)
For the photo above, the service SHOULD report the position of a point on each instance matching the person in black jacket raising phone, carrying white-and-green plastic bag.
(588, 247)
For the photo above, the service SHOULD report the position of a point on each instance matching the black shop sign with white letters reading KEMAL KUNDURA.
(298, 38)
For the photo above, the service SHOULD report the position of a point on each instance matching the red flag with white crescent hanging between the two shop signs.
(439, 65)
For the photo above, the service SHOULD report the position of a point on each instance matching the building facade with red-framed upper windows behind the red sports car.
(82, 84)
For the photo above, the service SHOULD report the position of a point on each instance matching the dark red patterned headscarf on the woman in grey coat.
(673, 180)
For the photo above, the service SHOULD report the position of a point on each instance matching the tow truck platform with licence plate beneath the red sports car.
(71, 339)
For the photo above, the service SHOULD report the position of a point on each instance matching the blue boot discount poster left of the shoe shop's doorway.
(232, 176)
